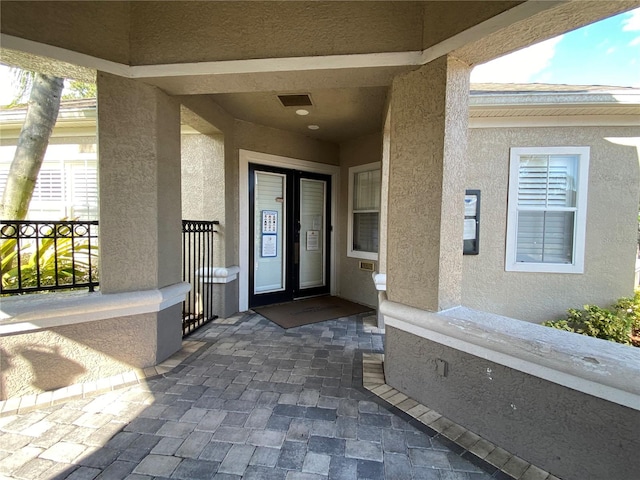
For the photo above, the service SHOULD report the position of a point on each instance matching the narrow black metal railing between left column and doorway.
(197, 264)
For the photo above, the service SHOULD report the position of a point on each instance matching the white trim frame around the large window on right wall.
(581, 214)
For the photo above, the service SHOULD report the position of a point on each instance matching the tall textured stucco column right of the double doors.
(427, 156)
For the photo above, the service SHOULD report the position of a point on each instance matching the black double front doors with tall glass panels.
(290, 232)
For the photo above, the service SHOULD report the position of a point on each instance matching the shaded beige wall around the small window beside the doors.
(354, 284)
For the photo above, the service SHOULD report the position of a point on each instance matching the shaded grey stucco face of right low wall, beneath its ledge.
(568, 433)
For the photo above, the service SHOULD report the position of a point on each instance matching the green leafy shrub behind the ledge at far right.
(620, 323)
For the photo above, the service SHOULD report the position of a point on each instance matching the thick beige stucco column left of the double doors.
(139, 170)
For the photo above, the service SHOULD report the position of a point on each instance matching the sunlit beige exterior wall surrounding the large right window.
(611, 225)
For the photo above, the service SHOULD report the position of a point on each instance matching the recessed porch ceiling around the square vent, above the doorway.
(347, 102)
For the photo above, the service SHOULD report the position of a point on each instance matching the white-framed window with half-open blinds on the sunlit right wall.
(546, 221)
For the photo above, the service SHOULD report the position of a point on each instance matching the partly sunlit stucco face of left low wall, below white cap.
(58, 357)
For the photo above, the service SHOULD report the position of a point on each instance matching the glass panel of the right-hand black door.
(312, 233)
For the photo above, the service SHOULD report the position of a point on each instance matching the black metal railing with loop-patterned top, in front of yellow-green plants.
(38, 256)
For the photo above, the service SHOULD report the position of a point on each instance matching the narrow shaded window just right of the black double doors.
(364, 211)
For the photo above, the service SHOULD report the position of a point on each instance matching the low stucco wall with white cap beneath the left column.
(52, 341)
